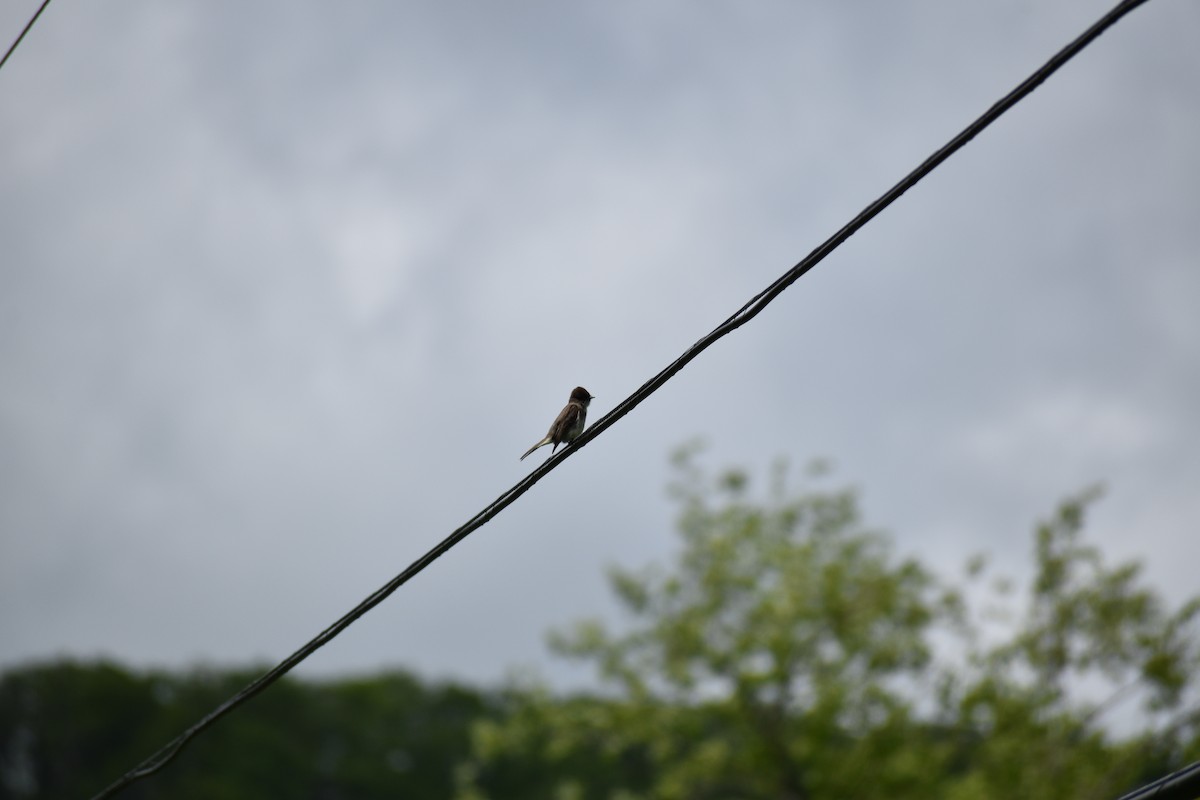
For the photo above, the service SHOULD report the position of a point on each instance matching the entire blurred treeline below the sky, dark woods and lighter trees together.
(788, 654)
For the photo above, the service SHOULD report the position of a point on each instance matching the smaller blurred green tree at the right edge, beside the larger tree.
(1089, 641)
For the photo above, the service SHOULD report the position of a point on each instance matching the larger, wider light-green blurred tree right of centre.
(769, 664)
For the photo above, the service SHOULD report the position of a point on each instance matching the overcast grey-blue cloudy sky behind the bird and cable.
(287, 288)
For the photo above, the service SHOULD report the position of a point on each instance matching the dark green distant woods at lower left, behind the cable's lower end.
(68, 731)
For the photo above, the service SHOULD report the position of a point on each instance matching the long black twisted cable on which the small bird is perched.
(745, 315)
